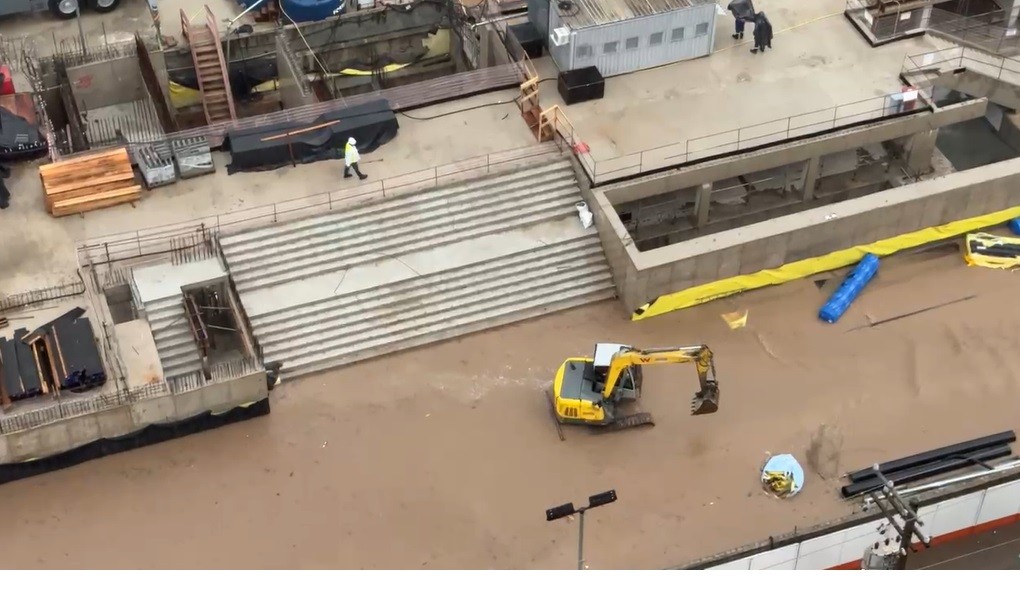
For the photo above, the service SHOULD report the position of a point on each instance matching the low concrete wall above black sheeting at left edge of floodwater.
(75, 432)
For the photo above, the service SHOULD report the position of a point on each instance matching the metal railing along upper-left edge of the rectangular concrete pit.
(751, 136)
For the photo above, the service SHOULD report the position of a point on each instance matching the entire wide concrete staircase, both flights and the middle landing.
(329, 291)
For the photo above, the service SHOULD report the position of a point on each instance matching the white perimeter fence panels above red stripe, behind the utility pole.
(847, 546)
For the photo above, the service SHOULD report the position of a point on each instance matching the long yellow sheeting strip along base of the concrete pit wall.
(801, 269)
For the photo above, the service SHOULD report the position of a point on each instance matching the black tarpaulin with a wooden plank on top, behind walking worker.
(373, 125)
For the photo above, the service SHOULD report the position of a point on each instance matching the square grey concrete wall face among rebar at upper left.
(108, 83)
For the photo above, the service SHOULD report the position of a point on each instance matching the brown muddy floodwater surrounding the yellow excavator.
(447, 457)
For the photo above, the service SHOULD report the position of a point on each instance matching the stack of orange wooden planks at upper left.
(88, 183)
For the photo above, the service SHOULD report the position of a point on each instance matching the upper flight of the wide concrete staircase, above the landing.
(317, 245)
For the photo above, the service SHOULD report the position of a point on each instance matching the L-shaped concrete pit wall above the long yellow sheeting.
(643, 276)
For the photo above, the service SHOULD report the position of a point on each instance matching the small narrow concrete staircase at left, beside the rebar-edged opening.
(178, 352)
